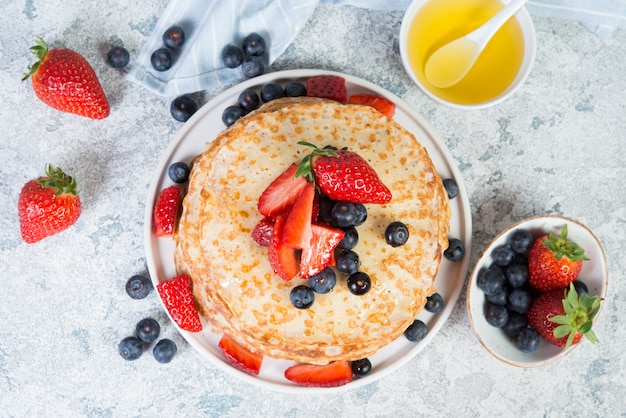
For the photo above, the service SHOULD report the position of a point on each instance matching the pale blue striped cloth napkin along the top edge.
(210, 25)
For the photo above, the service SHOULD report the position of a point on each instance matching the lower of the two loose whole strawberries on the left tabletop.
(48, 205)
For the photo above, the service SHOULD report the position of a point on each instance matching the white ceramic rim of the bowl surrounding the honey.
(530, 46)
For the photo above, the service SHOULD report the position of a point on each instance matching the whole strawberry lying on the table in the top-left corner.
(64, 80)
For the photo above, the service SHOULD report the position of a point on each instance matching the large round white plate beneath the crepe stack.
(206, 124)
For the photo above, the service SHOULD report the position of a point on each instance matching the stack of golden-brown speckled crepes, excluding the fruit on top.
(235, 288)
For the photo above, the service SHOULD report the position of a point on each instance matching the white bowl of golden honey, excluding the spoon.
(499, 71)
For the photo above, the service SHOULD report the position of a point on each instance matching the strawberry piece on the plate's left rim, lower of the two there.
(178, 299)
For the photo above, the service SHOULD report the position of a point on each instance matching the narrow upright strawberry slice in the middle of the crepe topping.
(297, 229)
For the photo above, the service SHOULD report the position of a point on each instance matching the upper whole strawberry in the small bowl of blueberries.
(554, 262)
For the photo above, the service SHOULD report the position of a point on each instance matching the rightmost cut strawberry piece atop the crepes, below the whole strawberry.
(320, 253)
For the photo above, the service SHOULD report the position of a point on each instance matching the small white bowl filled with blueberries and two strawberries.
(536, 291)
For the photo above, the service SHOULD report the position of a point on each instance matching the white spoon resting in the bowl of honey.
(450, 63)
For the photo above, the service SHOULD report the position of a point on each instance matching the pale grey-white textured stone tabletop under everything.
(556, 147)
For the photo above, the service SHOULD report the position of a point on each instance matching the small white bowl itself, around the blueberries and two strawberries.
(594, 274)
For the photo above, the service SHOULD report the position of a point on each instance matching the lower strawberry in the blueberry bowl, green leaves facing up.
(562, 317)
